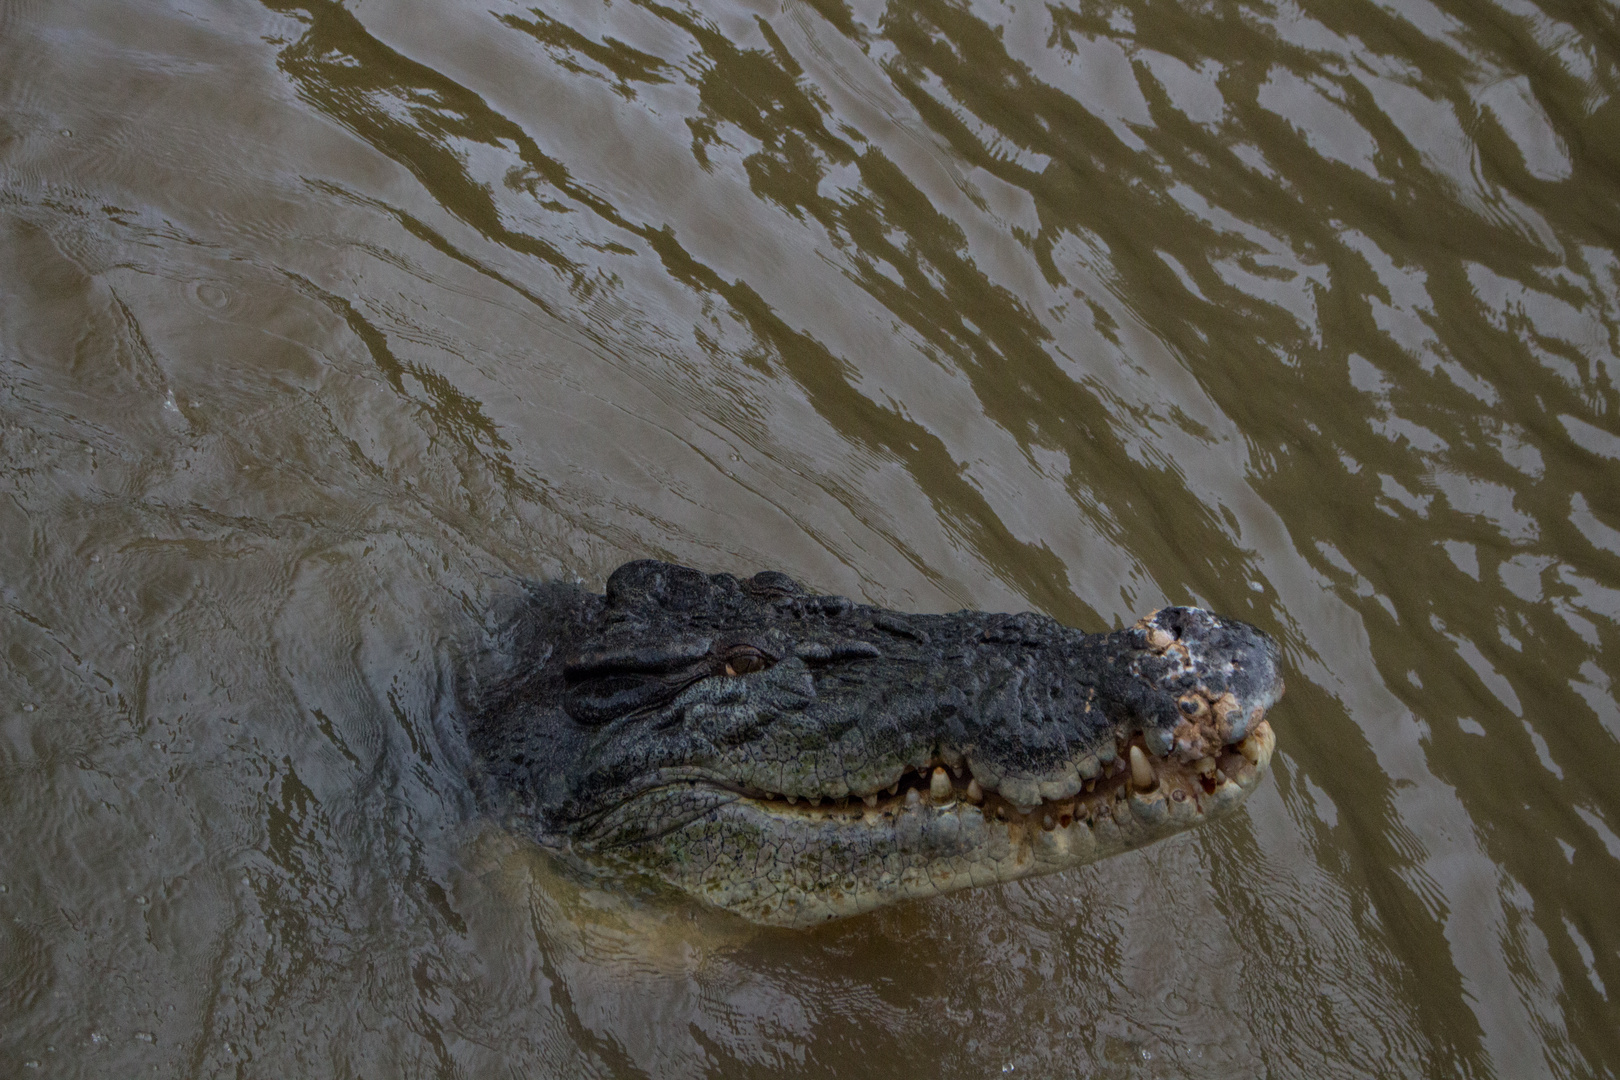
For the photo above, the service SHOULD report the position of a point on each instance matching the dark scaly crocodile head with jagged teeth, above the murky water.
(798, 759)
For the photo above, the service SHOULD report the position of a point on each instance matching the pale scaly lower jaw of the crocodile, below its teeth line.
(803, 864)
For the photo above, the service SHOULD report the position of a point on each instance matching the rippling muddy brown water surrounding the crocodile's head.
(322, 321)
